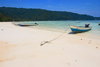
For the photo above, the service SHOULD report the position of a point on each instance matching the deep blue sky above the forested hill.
(89, 7)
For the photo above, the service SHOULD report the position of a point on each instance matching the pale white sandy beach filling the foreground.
(20, 47)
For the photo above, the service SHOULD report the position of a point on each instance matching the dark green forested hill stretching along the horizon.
(24, 14)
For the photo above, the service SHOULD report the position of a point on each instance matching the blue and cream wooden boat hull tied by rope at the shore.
(76, 29)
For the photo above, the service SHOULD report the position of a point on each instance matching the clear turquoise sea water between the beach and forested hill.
(63, 25)
